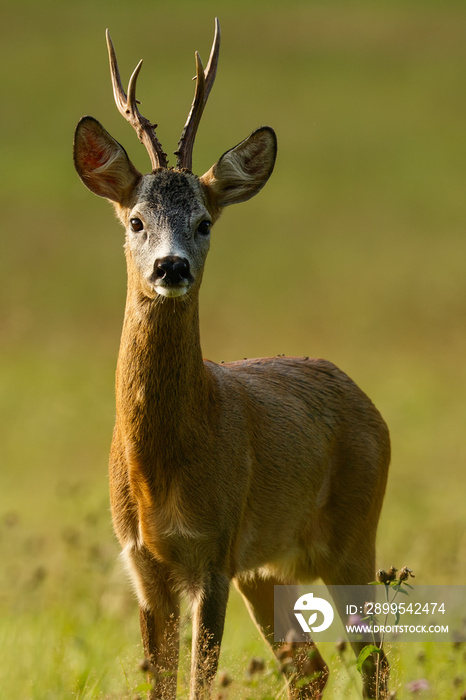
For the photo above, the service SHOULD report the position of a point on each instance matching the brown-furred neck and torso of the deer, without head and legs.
(266, 471)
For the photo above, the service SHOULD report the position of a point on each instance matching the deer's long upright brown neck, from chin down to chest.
(161, 382)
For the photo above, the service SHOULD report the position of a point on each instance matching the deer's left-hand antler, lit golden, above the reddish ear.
(127, 106)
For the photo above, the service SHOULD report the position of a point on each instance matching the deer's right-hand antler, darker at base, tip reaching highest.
(204, 82)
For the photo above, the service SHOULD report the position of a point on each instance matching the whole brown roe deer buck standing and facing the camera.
(260, 472)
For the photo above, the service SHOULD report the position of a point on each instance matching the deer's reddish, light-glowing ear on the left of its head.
(102, 164)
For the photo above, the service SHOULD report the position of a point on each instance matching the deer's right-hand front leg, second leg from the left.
(208, 622)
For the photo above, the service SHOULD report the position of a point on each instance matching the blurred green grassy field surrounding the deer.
(355, 251)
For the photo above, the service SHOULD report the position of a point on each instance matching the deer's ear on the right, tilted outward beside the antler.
(243, 171)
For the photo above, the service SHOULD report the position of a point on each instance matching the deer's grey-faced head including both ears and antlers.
(168, 213)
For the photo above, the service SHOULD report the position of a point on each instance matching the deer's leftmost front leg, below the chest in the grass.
(159, 619)
